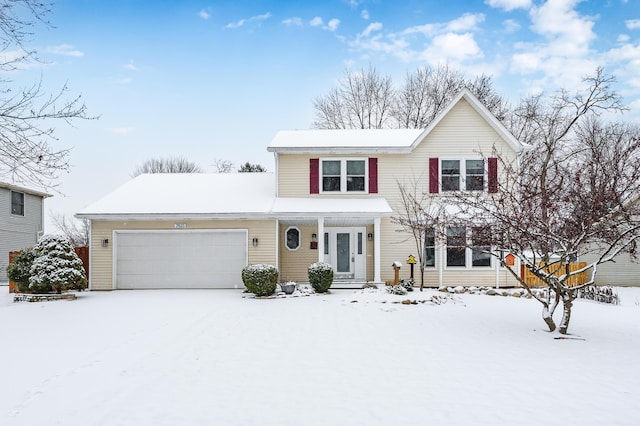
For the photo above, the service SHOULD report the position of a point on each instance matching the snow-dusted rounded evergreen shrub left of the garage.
(56, 267)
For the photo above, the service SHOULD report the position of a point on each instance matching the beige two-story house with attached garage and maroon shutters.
(332, 198)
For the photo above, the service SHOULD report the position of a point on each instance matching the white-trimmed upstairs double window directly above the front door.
(341, 175)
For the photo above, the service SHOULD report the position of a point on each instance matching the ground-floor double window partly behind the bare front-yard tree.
(465, 251)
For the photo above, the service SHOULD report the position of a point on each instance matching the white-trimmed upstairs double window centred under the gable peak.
(458, 174)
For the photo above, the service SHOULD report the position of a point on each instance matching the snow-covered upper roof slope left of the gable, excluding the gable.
(359, 140)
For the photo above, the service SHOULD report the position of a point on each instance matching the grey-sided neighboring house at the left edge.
(21, 221)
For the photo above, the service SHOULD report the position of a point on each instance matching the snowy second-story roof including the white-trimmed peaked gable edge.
(374, 141)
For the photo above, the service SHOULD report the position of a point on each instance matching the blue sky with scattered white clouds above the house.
(216, 80)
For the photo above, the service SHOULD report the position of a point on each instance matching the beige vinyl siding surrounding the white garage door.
(102, 257)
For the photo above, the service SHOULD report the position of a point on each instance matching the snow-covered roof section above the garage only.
(187, 195)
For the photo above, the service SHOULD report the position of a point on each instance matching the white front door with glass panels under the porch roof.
(345, 249)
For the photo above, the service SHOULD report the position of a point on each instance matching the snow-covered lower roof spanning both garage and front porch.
(219, 196)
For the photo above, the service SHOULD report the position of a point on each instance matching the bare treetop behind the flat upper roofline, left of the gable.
(362, 100)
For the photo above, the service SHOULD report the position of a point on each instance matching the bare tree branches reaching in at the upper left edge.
(27, 151)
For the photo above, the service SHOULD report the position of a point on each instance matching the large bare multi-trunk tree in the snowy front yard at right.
(574, 195)
